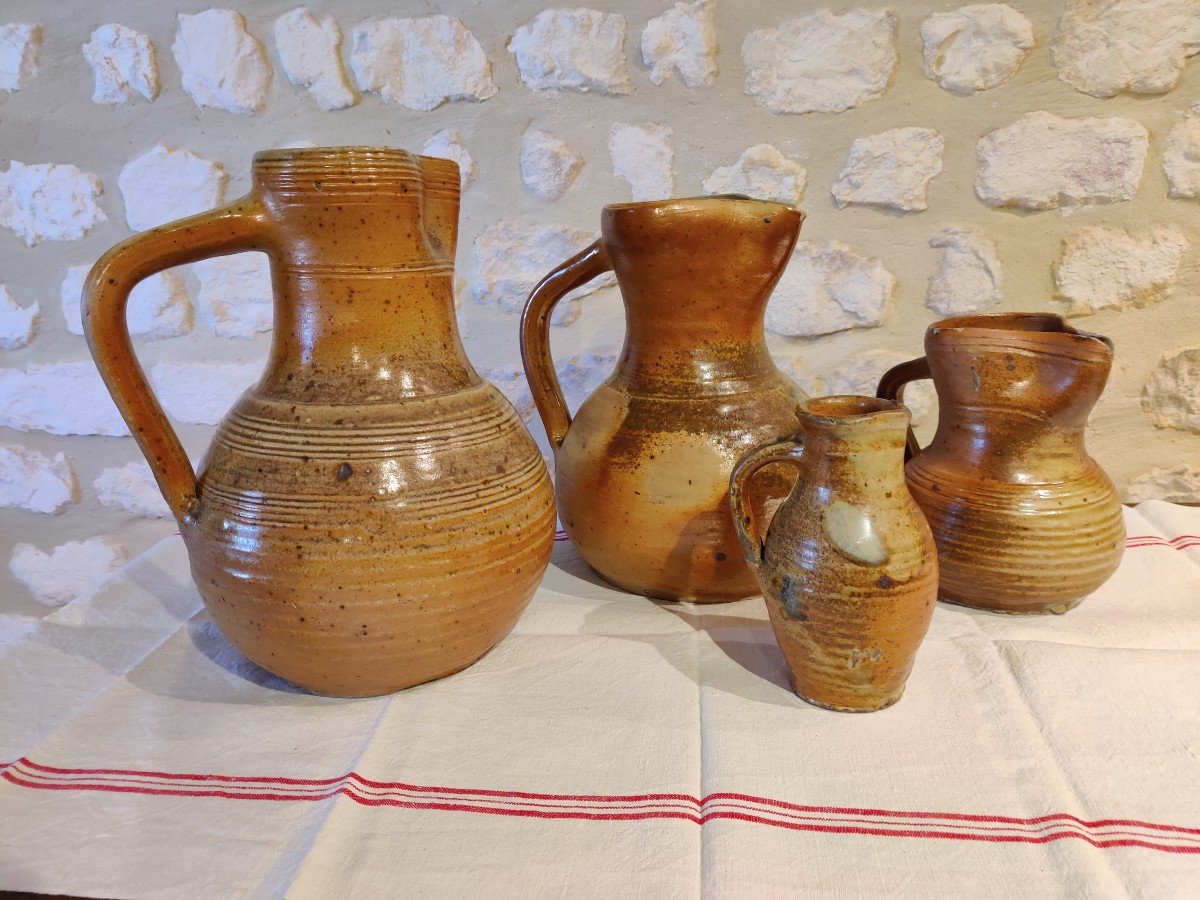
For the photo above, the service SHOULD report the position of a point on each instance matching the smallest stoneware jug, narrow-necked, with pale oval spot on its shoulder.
(848, 567)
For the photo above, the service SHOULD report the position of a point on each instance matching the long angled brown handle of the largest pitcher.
(227, 230)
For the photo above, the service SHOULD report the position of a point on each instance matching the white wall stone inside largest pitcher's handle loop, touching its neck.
(236, 295)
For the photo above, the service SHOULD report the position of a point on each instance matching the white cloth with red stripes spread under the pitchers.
(613, 746)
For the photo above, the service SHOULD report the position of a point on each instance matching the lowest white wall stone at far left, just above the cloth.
(73, 572)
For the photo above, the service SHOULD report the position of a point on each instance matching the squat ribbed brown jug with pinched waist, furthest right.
(1025, 520)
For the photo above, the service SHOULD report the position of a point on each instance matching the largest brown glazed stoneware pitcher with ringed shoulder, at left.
(371, 514)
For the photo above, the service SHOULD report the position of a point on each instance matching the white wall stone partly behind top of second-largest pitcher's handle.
(509, 259)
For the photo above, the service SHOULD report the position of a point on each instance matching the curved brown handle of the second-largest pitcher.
(548, 394)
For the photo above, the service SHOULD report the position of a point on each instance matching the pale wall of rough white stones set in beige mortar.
(1041, 155)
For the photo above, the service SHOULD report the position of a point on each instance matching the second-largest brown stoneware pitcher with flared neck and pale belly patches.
(643, 471)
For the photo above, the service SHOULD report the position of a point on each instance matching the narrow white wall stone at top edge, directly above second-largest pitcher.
(683, 40)
